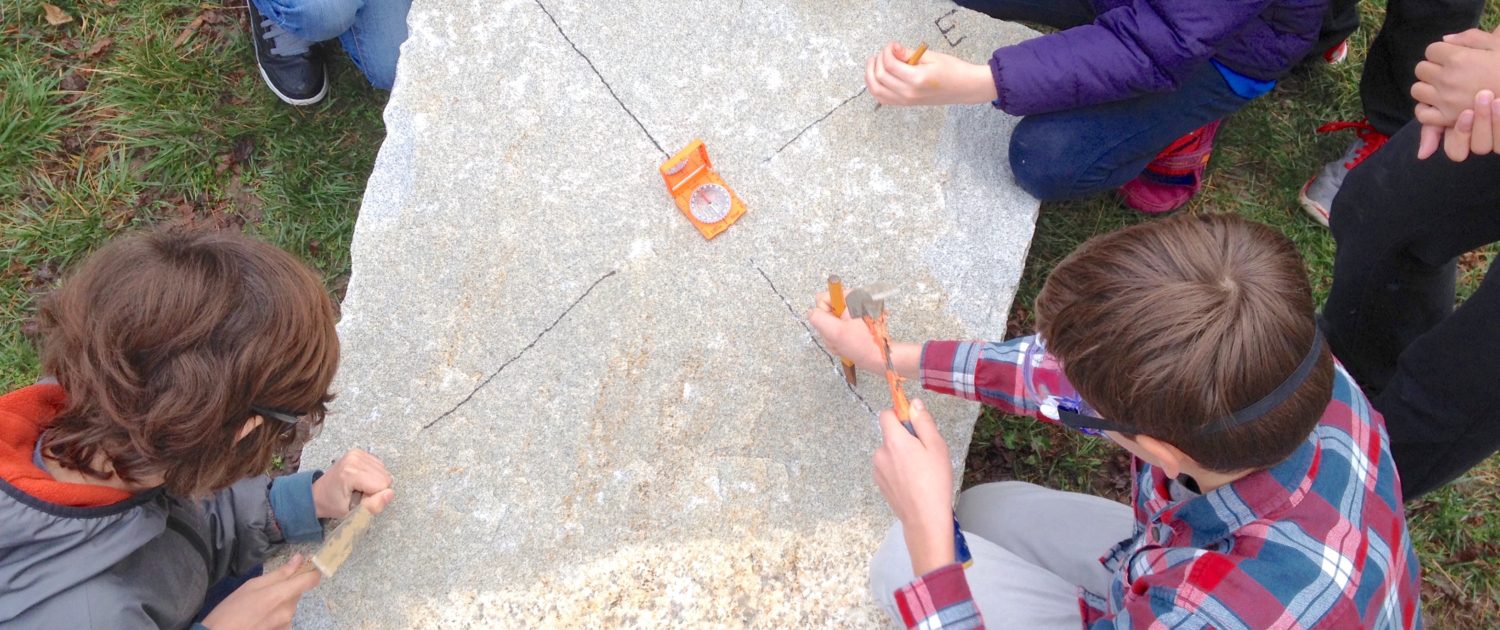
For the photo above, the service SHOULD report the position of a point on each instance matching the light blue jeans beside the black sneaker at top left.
(370, 31)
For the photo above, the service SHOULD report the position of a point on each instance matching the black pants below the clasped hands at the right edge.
(1432, 371)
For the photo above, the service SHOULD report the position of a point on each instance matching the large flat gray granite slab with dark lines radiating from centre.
(595, 416)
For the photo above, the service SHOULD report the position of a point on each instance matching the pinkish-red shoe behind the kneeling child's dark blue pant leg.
(1175, 176)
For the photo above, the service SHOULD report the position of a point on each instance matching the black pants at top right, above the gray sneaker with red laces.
(1391, 67)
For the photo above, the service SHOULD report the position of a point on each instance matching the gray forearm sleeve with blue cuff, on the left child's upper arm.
(241, 523)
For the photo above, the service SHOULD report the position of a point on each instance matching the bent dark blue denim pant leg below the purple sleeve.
(1081, 152)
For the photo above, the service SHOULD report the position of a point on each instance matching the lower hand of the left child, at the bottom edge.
(266, 602)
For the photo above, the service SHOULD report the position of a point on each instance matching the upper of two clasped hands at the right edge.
(1456, 70)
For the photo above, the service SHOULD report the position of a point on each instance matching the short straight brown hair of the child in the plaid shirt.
(1177, 323)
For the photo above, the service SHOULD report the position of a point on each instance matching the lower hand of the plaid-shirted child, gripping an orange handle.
(916, 476)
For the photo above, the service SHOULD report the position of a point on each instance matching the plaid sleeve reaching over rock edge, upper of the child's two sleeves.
(988, 373)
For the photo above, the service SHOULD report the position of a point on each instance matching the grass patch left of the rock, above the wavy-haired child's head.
(140, 113)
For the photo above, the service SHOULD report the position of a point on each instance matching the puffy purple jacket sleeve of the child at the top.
(1139, 49)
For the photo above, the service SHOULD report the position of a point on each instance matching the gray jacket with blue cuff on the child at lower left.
(143, 563)
